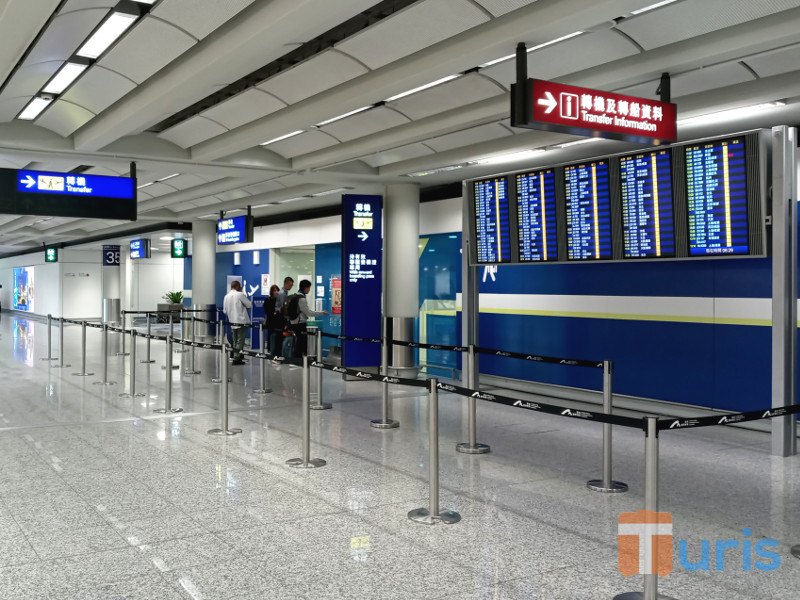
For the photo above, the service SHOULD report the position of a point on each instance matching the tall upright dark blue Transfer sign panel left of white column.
(361, 278)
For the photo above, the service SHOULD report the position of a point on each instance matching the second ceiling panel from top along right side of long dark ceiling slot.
(315, 75)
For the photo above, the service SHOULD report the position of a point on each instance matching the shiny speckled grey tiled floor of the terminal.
(103, 499)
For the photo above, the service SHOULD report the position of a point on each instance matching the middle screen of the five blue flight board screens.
(588, 211)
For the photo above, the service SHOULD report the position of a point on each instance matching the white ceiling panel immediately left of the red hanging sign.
(453, 94)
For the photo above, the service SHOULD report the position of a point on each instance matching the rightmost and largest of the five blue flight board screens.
(716, 178)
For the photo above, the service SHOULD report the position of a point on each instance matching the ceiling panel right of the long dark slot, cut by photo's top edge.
(412, 29)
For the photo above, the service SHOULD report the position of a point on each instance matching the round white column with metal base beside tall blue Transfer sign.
(401, 271)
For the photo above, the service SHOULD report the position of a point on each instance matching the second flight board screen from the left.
(536, 216)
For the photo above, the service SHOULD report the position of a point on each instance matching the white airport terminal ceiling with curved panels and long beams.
(225, 104)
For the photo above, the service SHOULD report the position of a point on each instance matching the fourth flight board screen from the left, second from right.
(647, 214)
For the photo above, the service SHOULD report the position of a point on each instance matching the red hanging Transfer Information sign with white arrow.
(581, 111)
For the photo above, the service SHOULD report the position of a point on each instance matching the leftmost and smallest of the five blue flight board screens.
(492, 220)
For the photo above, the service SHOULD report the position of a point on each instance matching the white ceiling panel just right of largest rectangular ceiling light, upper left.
(147, 48)
